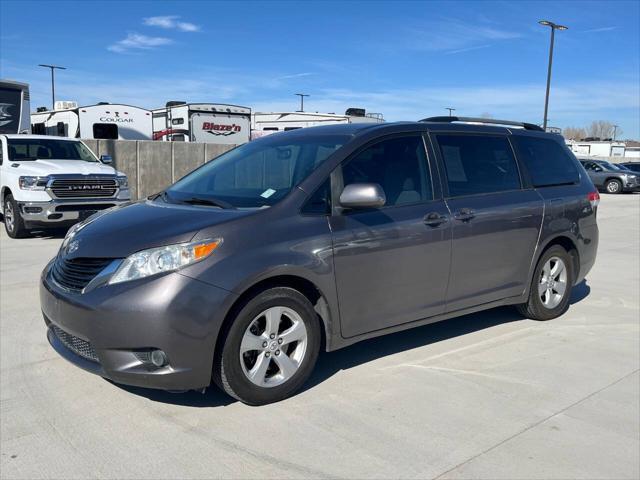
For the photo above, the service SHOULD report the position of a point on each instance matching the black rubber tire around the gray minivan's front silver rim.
(228, 372)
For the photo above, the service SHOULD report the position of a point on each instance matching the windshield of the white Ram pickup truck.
(23, 149)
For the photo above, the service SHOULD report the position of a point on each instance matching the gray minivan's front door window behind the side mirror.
(399, 165)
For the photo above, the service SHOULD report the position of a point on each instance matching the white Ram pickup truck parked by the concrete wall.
(52, 182)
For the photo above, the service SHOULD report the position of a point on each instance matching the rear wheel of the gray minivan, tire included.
(550, 291)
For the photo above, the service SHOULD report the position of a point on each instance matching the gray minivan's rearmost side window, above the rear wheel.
(547, 162)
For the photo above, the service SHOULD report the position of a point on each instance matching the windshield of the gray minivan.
(256, 174)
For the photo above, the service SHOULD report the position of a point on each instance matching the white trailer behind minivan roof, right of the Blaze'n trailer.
(266, 123)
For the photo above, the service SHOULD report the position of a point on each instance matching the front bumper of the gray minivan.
(116, 323)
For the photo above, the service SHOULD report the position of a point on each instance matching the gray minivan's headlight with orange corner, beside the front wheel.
(163, 259)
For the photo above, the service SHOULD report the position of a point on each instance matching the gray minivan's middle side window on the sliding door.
(478, 164)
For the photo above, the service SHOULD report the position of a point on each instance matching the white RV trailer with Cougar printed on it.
(102, 121)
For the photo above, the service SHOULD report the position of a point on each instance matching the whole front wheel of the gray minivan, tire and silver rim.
(270, 349)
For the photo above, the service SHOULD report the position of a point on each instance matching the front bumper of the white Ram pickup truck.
(55, 212)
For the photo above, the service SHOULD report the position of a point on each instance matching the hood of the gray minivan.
(132, 227)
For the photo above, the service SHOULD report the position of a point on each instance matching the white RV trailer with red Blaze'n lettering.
(202, 122)
